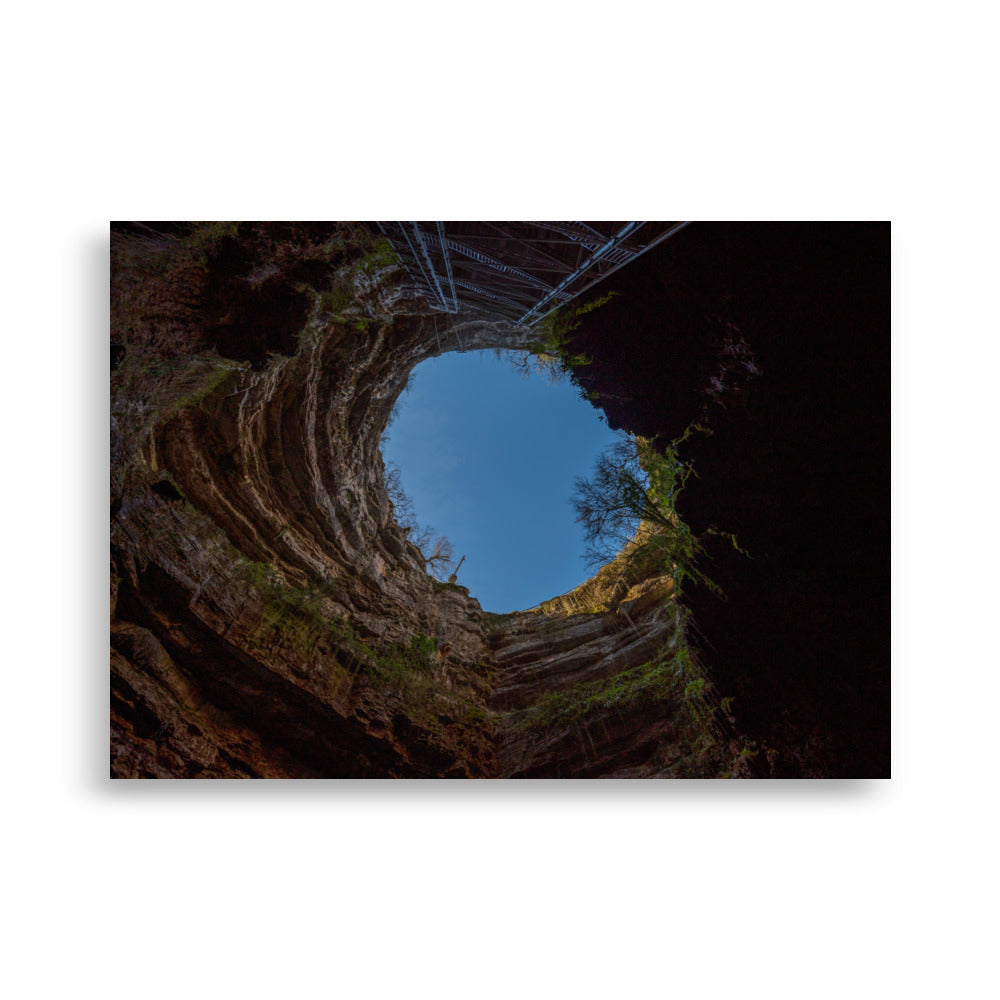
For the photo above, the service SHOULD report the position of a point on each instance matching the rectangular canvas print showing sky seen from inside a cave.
(500, 500)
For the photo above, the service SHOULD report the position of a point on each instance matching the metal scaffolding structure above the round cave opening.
(518, 270)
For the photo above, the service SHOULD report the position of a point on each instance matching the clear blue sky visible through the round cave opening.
(489, 458)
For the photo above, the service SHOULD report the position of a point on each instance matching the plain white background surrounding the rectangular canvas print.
(448, 110)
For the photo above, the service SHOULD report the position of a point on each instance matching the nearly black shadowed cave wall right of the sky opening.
(797, 466)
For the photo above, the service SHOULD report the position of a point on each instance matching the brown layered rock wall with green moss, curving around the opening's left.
(269, 617)
